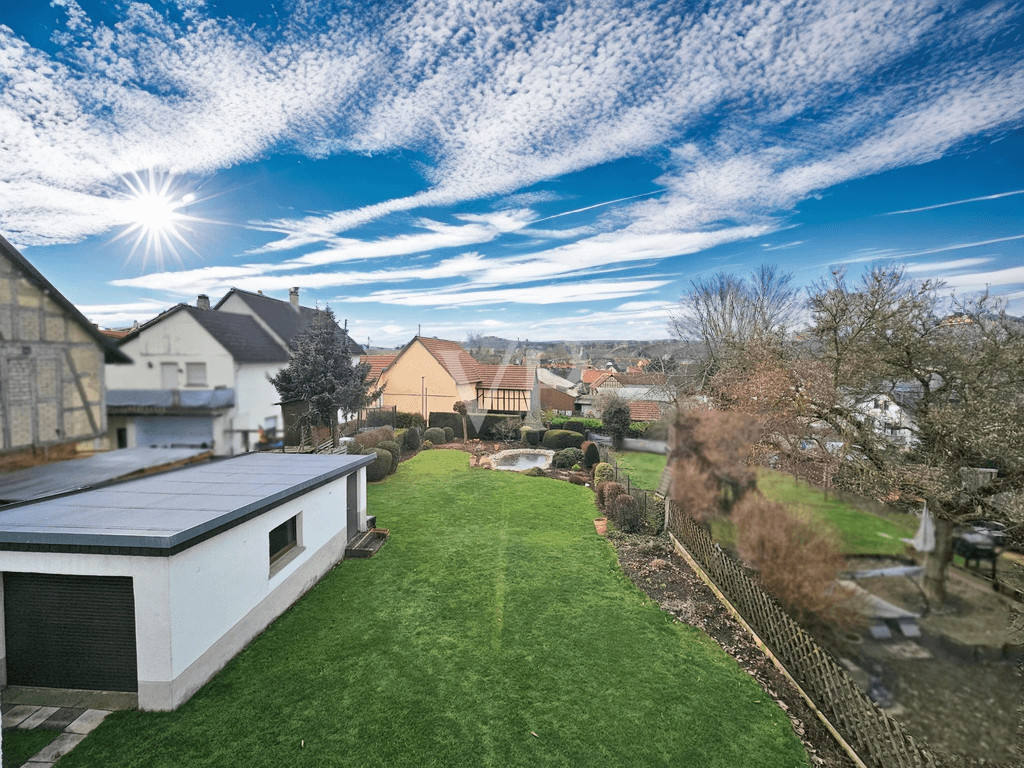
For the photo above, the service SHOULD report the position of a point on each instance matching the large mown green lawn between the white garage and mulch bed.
(494, 613)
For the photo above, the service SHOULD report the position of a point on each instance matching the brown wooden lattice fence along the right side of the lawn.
(878, 740)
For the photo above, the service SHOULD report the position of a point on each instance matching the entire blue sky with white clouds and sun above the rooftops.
(533, 170)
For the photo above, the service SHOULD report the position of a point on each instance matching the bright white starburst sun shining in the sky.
(154, 211)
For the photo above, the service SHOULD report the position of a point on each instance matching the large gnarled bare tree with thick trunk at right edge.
(959, 370)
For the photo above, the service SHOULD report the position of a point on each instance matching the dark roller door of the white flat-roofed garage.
(70, 631)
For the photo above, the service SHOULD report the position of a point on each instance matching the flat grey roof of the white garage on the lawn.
(164, 515)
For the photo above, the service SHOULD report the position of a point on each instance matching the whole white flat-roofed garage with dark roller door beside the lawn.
(152, 586)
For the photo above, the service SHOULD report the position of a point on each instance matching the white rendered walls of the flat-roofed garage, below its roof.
(197, 610)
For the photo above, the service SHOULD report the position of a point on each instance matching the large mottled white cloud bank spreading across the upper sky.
(499, 98)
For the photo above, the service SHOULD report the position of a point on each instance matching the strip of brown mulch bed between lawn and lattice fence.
(666, 578)
